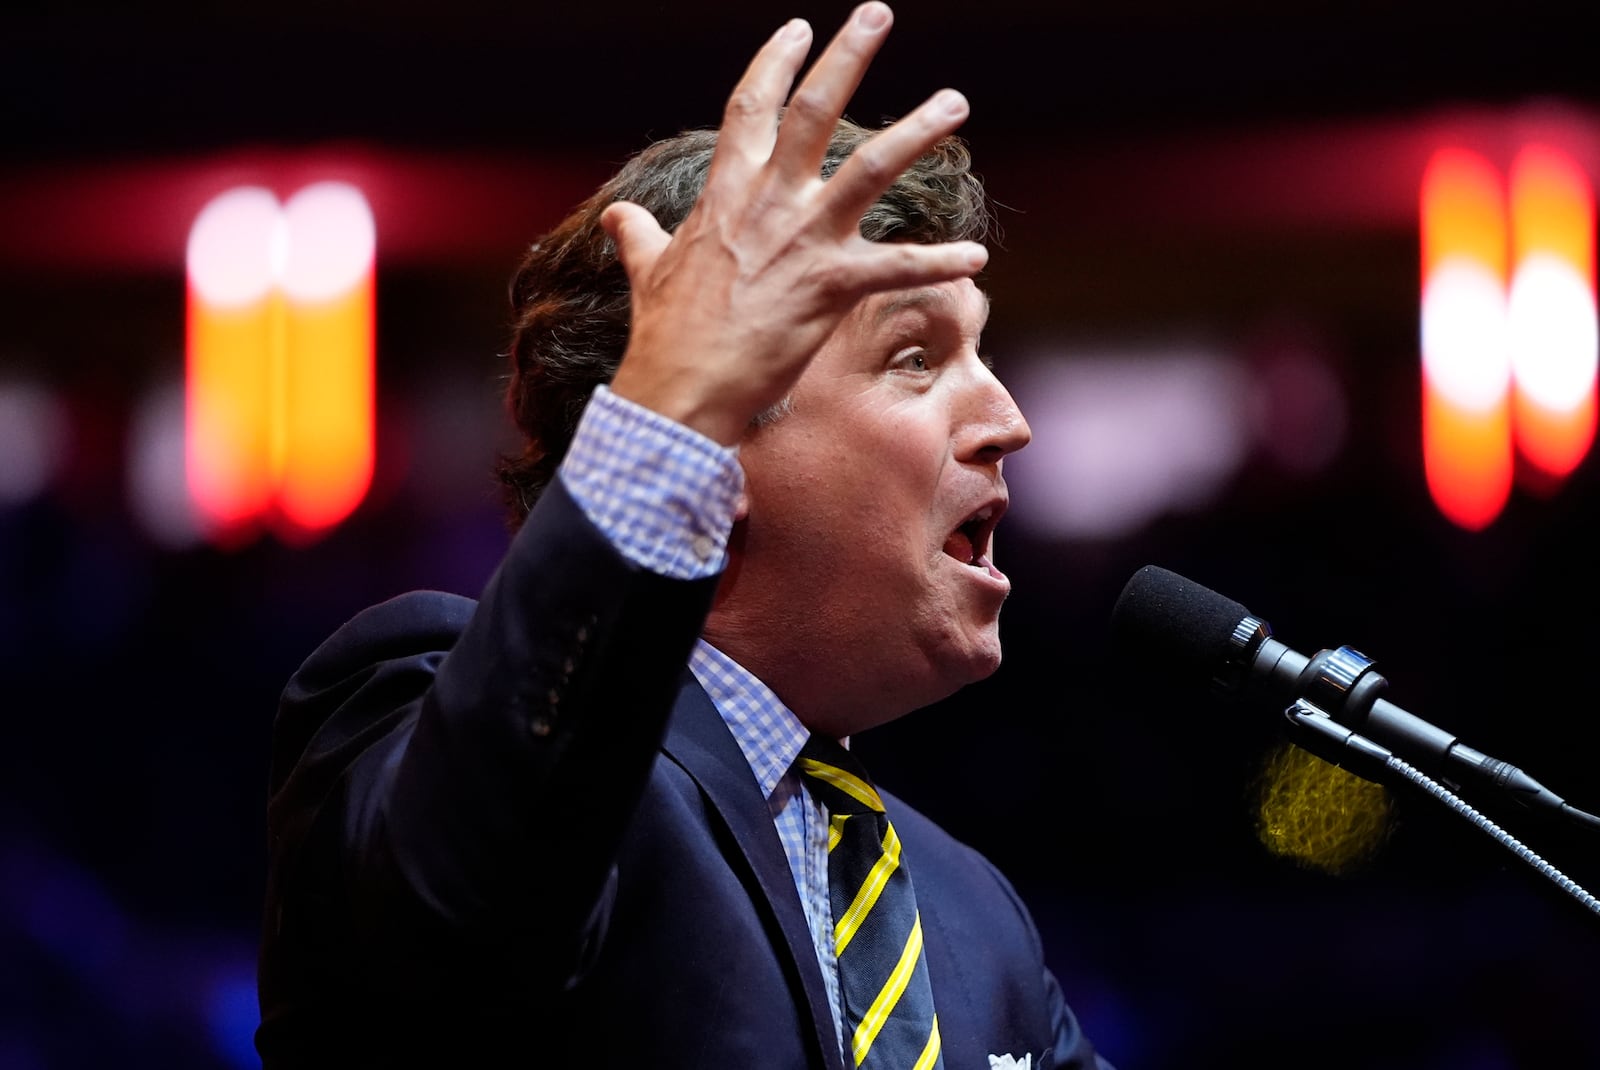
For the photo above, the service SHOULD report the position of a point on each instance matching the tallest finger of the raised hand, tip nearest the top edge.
(822, 98)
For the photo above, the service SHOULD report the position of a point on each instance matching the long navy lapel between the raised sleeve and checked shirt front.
(702, 745)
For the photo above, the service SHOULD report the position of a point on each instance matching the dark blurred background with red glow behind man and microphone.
(1225, 174)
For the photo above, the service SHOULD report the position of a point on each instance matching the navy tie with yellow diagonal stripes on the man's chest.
(878, 933)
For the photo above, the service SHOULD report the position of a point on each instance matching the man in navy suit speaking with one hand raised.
(586, 820)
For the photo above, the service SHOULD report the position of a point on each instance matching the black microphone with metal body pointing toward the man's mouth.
(1194, 636)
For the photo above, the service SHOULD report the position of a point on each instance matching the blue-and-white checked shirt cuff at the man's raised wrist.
(662, 493)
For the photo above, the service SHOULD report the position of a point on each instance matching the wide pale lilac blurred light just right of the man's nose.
(1121, 441)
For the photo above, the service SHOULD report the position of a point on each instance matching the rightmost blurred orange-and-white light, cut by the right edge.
(1553, 311)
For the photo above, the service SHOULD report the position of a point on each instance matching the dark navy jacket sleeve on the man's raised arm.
(452, 781)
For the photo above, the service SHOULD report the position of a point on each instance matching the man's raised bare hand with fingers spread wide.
(730, 308)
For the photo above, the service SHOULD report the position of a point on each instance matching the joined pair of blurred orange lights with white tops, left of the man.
(281, 361)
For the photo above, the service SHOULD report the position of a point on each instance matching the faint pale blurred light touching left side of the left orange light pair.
(158, 492)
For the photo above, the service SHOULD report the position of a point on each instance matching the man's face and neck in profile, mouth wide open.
(862, 585)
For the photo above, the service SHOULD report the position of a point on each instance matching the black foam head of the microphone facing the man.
(1175, 629)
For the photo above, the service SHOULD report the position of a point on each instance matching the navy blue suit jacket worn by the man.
(518, 831)
